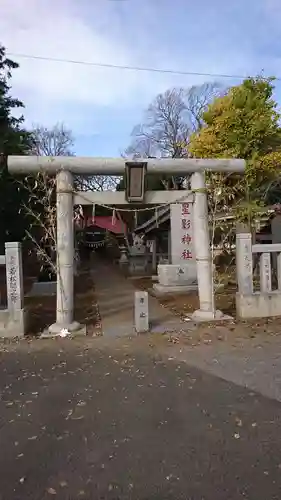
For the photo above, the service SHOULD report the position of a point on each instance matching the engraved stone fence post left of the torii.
(13, 318)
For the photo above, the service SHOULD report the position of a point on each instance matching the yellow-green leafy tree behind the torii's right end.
(244, 123)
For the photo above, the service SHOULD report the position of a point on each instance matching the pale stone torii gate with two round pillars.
(65, 167)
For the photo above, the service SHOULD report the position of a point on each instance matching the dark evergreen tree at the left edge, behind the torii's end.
(14, 139)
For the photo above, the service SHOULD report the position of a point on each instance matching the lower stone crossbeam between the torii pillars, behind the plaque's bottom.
(118, 198)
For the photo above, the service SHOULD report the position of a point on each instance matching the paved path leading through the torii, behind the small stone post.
(115, 296)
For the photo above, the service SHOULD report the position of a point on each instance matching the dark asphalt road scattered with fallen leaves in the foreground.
(82, 420)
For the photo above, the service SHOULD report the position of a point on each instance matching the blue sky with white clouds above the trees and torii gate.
(101, 105)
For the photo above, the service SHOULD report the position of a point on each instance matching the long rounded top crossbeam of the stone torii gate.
(116, 166)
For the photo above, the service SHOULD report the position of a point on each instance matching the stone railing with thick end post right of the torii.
(266, 301)
